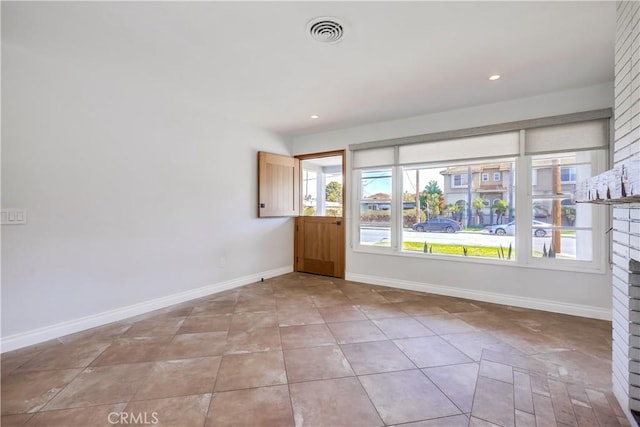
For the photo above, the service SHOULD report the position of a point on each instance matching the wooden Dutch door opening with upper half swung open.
(320, 229)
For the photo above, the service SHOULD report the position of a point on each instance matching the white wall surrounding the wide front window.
(570, 292)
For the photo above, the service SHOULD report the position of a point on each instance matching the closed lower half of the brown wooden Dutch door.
(319, 245)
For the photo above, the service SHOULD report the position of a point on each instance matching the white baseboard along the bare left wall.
(16, 341)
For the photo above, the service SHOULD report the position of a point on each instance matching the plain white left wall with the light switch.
(133, 193)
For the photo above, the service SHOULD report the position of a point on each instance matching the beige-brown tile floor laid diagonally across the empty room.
(314, 351)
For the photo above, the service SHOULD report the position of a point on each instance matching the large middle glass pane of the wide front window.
(457, 226)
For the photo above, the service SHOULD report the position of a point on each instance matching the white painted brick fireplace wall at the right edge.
(626, 218)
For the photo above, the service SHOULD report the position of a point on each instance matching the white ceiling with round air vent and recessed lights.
(254, 62)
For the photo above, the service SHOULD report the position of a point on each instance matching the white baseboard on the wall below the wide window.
(513, 300)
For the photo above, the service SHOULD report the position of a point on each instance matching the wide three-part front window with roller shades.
(457, 213)
